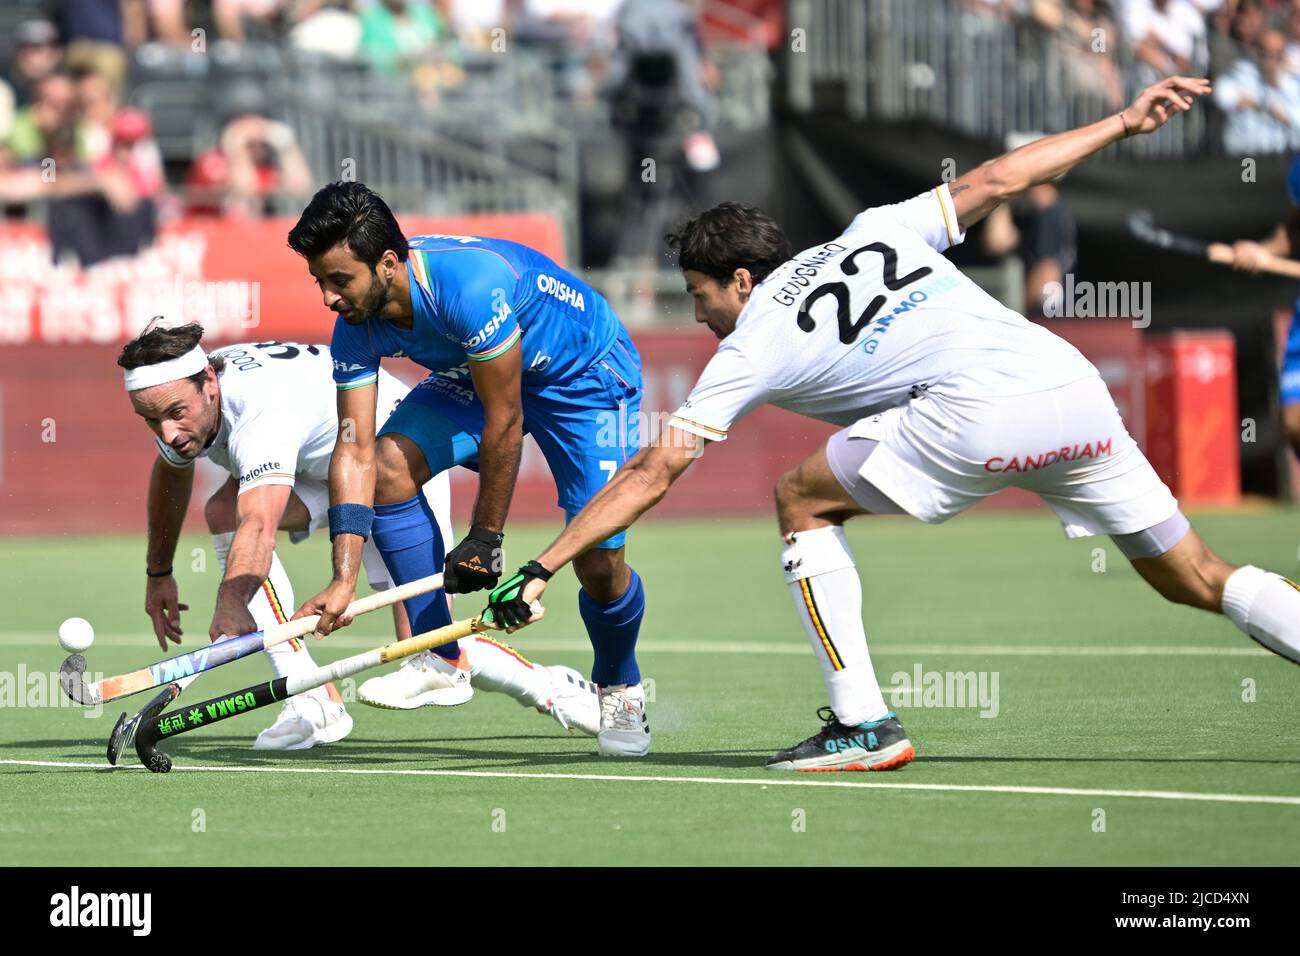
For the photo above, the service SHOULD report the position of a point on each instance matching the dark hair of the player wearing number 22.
(729, 237)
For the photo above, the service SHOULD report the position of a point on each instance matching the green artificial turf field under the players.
(1120, 733)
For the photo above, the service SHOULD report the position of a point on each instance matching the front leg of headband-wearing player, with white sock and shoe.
(315, 717)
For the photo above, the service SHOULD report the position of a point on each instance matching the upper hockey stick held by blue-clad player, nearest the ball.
(216, 655)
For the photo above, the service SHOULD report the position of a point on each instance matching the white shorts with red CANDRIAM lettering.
(941, 453)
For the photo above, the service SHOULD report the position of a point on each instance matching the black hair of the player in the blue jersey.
(348, 213)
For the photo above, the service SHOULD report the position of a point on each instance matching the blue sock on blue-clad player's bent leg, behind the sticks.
(411, 546)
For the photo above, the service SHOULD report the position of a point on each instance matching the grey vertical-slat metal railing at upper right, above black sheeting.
(934, 60)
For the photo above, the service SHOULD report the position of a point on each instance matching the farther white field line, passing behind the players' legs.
(541, 646)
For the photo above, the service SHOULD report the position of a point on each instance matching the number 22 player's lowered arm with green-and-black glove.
(635, 488)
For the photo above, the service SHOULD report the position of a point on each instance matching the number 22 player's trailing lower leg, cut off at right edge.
(1264, 605)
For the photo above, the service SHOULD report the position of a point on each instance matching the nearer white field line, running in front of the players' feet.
(721, 781)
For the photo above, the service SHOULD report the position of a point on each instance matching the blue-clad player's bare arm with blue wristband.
(352, 485)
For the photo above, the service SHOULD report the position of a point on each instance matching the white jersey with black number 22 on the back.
(852, 327)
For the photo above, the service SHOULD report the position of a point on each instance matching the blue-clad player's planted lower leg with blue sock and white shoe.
(613, 604)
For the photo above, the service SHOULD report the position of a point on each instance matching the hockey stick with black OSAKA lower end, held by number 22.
(155, 726)
